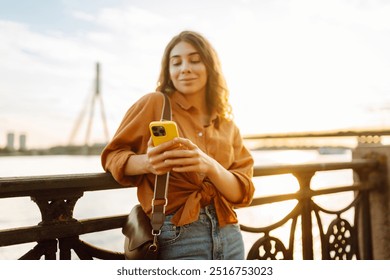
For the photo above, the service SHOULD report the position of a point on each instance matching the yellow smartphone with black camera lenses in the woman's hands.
(163, 131)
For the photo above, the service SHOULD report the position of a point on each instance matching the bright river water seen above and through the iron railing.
(19, 212)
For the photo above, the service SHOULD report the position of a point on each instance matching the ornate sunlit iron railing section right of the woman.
(341, 239)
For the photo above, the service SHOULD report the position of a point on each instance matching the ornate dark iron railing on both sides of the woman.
(59, 232)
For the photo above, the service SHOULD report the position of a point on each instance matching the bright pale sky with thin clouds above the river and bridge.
(291, 66)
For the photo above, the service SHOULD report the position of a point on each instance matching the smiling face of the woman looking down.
(186, 69)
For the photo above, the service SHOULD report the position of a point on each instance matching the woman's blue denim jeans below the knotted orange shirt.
(201, 240)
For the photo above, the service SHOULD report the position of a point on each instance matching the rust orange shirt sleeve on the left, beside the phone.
(131, 137)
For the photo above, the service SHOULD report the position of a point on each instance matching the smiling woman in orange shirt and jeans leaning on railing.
(210, 168)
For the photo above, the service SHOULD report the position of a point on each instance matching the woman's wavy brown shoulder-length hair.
(217, 93)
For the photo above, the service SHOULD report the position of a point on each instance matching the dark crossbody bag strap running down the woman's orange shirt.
(160, 201)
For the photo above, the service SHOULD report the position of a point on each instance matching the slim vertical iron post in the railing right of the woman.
(304, 179)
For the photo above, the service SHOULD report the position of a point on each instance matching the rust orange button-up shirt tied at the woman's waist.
(187, 192)
